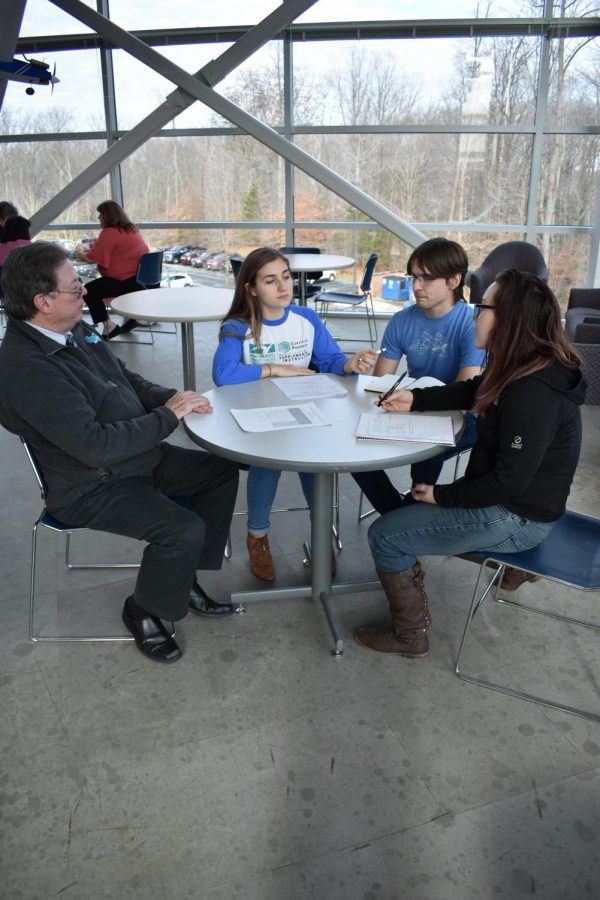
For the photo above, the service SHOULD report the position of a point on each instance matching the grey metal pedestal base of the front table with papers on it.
(320, 588)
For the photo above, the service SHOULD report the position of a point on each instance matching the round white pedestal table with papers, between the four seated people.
(320, 450)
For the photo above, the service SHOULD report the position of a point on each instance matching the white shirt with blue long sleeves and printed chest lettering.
(299, 338)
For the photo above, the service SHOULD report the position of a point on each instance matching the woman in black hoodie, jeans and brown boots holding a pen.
(520, 472)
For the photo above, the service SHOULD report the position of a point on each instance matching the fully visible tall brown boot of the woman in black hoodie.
(410, 616)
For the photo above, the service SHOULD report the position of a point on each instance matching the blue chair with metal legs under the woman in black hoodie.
(570, 555)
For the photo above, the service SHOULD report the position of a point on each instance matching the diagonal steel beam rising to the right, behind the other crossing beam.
(178, 101)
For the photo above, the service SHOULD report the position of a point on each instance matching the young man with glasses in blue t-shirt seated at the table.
(437, 336)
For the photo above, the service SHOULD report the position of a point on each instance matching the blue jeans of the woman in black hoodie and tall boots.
(398, 538)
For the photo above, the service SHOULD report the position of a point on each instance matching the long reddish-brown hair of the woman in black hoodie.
(527, 335)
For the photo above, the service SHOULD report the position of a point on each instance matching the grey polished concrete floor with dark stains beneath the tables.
(259, 766)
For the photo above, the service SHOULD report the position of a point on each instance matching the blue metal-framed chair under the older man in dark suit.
(48, 521)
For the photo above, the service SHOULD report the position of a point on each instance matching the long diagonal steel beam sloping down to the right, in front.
(252, 126)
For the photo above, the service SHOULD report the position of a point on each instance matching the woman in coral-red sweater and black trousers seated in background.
(117, 253)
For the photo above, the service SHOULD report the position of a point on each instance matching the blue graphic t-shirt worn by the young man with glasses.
(435, 347)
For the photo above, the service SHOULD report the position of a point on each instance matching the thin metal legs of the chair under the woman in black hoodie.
(504, 689)
